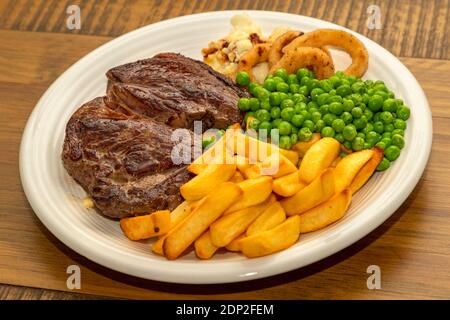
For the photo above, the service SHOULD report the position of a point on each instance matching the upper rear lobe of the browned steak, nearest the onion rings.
(176, 90)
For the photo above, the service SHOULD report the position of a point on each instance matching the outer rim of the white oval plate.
(358, 231)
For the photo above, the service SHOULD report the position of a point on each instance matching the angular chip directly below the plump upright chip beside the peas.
(320, 190)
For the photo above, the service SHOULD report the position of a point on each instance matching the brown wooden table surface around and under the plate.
(412, 247)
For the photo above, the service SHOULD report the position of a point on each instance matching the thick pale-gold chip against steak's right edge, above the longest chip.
(207, 180)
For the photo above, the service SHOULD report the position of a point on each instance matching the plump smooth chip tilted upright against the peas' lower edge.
(318, 157)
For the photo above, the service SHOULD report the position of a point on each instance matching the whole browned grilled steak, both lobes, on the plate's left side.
(118, 147)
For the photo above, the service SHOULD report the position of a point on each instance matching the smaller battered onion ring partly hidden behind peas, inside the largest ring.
(306, 57)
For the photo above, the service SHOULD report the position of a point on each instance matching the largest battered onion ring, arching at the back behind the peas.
(337, 38)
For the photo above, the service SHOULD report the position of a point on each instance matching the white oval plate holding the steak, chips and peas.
(56, 198)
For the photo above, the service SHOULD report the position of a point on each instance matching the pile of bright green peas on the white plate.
(359, 114)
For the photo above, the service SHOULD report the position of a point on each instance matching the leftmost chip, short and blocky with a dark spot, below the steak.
(144, 227)
